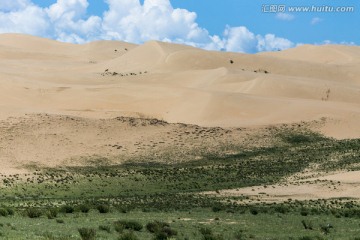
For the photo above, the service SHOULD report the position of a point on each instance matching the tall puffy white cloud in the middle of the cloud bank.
(155, 19)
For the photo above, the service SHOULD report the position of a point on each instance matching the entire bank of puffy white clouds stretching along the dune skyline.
(128, 20)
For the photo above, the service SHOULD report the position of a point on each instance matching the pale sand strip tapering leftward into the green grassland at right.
(344, 185)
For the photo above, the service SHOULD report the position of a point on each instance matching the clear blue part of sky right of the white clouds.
(336, 27)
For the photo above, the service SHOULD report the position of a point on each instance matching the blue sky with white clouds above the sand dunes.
(248, 26)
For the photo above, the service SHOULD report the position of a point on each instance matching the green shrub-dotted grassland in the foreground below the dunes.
(103, 198)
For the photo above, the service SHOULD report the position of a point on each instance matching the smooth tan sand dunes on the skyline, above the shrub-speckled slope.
(179, 83)
